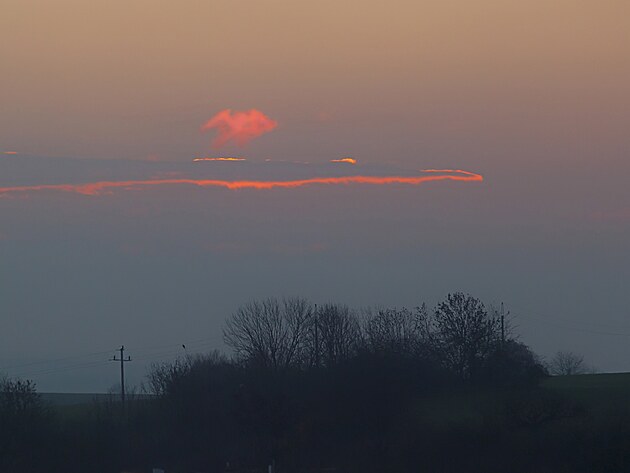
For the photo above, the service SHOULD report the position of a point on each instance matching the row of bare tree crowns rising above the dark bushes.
(459, 335)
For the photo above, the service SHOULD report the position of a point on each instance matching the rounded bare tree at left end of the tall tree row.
(271, 333)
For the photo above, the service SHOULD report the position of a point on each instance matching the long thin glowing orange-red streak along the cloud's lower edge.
(97, 188)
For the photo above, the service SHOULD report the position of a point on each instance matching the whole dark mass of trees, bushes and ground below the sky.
(321, 388)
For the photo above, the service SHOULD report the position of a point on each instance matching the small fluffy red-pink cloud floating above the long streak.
(239, 127)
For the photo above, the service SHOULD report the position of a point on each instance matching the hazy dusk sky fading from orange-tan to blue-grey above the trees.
(530, 99)
